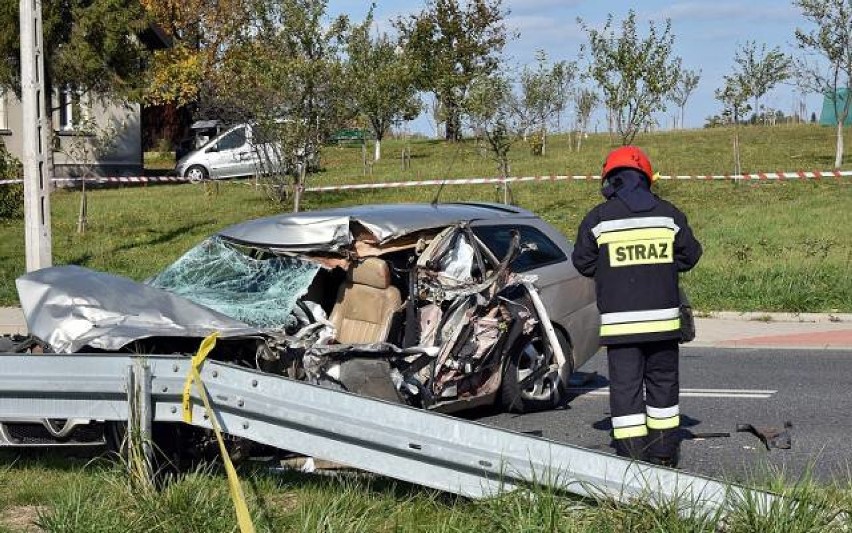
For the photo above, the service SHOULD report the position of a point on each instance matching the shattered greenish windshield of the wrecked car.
(260, 291)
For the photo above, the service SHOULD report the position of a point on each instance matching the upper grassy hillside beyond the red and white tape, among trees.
(709, 151)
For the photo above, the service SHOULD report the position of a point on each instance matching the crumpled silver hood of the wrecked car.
(72, 307)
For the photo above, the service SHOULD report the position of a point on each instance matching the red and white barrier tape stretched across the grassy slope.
(777, 176)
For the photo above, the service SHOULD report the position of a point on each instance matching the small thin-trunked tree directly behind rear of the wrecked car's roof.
(492, 111)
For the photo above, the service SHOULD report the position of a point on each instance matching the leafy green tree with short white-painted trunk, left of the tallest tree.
(382, 81)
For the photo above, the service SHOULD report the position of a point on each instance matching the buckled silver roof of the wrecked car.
(310, 229)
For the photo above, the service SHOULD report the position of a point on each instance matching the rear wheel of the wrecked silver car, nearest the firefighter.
(528, 385)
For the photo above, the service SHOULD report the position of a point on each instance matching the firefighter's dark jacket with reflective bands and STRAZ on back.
(635, 259)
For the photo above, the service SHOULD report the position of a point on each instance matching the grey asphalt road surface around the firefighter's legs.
(721, 388)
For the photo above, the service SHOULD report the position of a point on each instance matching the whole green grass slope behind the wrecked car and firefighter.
(779, 246)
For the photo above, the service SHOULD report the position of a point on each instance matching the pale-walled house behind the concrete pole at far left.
(92, 135)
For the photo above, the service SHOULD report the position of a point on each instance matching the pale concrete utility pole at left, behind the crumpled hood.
(36, 139)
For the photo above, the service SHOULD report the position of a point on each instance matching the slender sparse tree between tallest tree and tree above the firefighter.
(544, 94)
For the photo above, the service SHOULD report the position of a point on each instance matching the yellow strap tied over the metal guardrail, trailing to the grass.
(237, 496)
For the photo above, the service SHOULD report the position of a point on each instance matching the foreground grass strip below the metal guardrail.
(96, 496)
